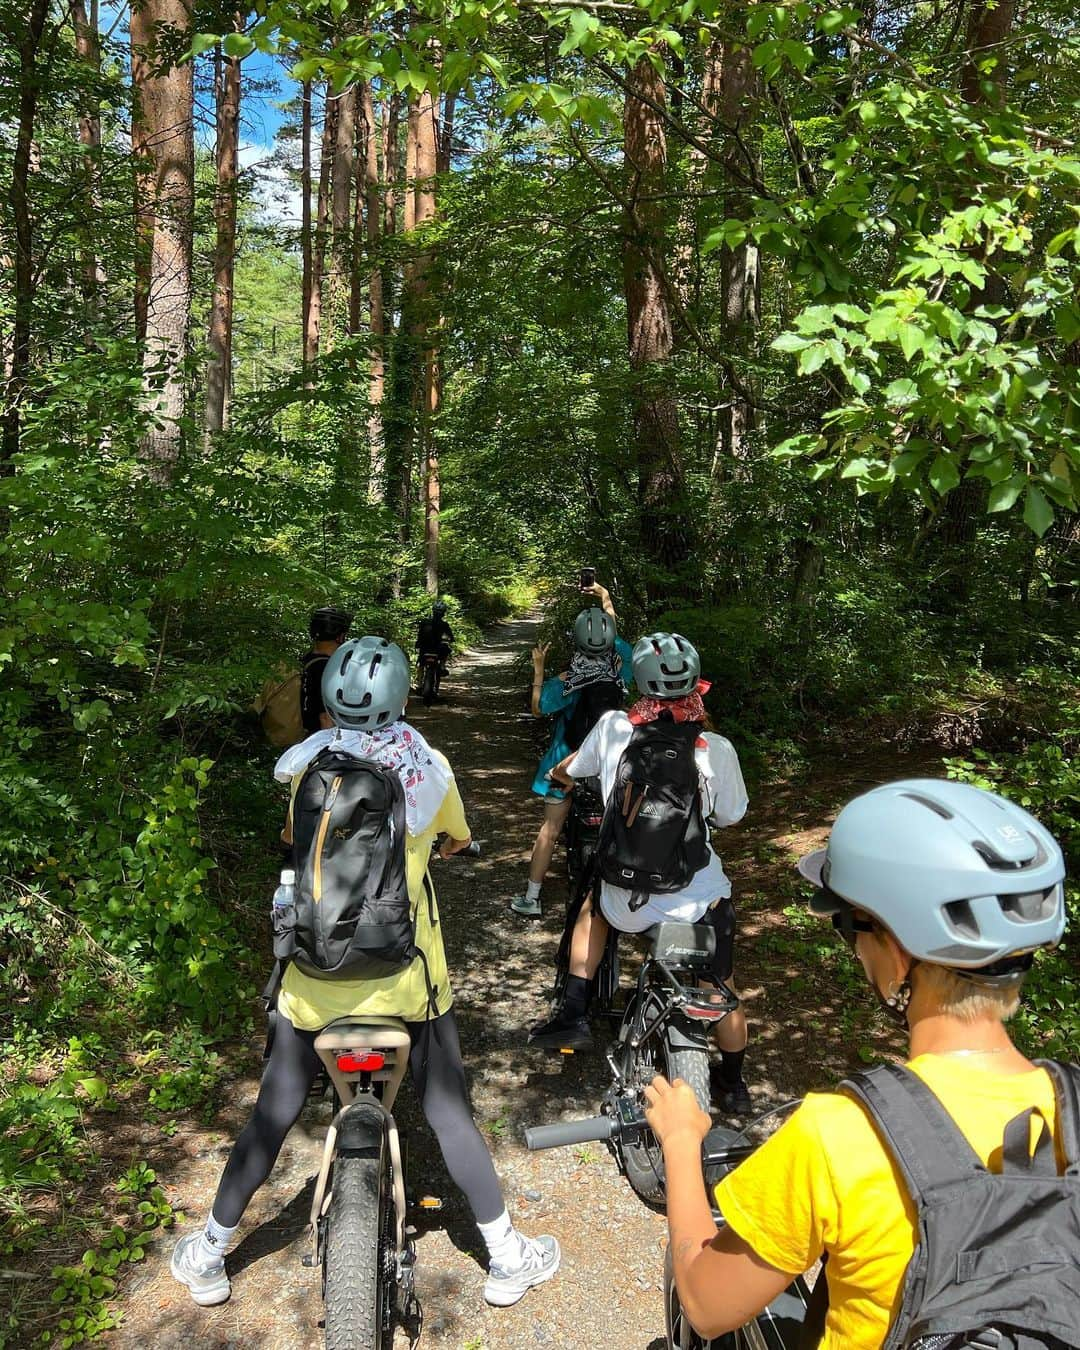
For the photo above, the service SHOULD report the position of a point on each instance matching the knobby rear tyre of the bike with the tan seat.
(360, 1258)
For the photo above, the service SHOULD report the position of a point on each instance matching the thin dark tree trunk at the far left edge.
(30, 41)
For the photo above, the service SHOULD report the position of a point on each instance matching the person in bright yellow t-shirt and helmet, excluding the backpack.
(944, 892)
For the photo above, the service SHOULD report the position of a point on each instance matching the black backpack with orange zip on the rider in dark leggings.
(353, 915)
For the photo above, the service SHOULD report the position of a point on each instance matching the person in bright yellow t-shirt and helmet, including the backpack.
(944, 892)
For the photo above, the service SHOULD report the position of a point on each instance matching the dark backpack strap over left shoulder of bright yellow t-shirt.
(919, 1133)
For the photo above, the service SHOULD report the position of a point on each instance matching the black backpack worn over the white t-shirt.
(654, 838)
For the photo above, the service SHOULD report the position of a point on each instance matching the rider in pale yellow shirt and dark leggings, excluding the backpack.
(306, 1005)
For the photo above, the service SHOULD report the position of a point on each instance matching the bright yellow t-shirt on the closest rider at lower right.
(824, 1183)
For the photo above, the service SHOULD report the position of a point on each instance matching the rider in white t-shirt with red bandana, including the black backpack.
(664, 731)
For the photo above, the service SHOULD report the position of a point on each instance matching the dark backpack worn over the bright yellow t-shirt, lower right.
(998, 1255)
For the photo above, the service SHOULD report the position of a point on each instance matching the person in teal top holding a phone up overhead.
(599, 659)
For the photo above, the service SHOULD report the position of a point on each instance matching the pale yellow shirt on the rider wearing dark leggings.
(311, 1005)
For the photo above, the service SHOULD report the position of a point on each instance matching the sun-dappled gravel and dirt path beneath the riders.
(610, 1289)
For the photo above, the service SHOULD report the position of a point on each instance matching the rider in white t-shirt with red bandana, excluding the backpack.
(668, 673)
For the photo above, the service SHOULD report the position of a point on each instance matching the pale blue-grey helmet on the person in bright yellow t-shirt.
(961, 877)
